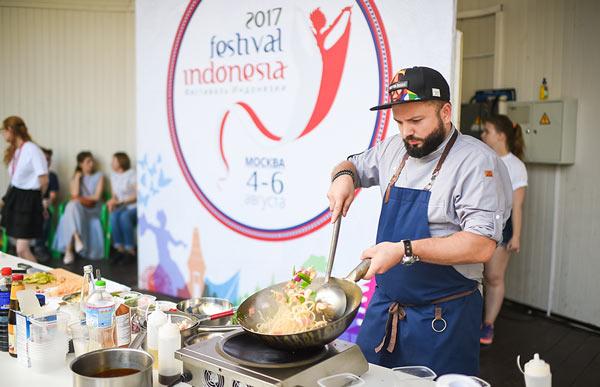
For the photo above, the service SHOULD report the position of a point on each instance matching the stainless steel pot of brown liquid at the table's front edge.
(87, 367)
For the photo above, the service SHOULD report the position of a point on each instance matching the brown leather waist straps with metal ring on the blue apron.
(396, 313)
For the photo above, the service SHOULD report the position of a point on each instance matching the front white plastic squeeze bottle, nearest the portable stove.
(169, 341)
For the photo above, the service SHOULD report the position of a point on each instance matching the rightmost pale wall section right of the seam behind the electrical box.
(577, 275)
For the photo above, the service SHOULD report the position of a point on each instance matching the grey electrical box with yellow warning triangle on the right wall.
(549, 129)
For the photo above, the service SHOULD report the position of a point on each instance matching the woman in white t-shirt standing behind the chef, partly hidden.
(506, 139)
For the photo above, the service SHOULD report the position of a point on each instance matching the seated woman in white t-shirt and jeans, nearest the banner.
(122, 206)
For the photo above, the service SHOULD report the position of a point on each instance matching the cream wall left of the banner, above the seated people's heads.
(67, 68)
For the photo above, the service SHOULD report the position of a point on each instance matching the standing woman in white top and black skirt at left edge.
(22, 210)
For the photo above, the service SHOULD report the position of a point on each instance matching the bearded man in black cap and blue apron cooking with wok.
(445, 199)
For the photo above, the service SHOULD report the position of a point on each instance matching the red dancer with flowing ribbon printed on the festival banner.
(333, 61)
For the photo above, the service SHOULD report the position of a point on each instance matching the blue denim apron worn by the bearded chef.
(422, 314)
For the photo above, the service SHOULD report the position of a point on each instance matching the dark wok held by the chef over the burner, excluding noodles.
(263, 301)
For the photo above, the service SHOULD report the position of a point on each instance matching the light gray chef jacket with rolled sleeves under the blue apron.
(472, 192)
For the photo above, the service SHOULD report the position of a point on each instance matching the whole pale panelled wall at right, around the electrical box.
(559, 40)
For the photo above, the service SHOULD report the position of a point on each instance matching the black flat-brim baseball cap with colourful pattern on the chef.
(416, 84)
